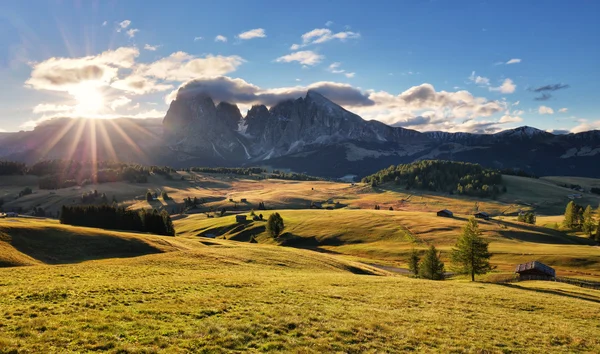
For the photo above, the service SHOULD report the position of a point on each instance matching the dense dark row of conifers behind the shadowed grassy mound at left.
(114, 218)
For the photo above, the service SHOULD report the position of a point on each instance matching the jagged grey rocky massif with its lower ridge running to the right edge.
(314, 135)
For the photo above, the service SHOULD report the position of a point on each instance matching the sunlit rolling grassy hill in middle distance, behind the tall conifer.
(389, 236)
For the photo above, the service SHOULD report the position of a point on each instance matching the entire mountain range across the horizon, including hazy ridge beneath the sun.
(309, 134)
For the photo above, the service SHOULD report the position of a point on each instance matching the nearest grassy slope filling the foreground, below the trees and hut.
(226, 297)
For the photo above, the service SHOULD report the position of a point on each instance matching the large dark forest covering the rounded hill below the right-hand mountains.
(442, 176)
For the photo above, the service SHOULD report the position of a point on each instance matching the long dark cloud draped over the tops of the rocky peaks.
(225, 89)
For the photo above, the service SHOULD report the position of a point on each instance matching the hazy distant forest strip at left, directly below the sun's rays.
(57, 174)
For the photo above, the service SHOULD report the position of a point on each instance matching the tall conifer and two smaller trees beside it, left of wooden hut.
(469, 256)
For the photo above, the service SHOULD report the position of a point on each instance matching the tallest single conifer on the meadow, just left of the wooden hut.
(470, 255)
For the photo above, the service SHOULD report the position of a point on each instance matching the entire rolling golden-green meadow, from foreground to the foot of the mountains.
(74, 289)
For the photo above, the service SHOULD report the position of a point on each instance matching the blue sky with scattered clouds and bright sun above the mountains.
(472, 66)
